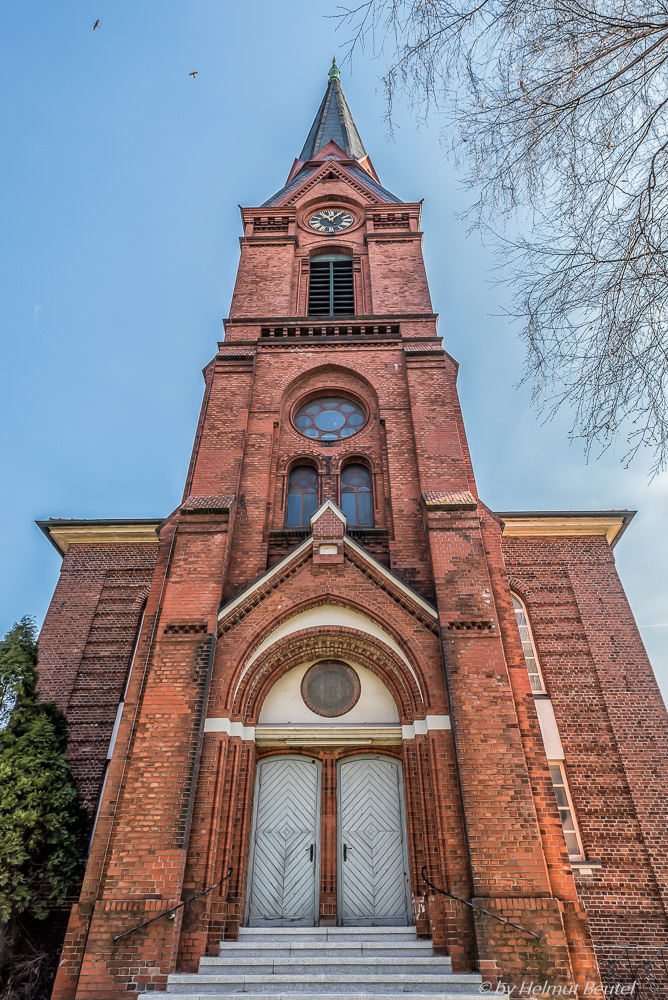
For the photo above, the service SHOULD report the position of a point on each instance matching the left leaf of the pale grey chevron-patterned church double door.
(286, 843)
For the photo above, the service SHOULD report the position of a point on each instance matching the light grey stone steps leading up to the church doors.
(304, 963)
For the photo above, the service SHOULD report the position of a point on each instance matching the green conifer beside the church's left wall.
(43, 824)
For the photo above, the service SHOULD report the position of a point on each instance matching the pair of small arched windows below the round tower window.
(356, 495)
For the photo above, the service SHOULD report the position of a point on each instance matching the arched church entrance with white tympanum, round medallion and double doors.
(345, 706)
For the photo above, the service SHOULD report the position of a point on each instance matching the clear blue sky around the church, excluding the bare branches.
(121, 180)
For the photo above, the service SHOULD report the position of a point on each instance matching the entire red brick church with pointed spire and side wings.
(310, 676)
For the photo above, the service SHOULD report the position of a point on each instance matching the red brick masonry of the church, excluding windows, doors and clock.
(481, 811)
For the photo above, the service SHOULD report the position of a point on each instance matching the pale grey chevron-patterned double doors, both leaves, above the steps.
(370, 852)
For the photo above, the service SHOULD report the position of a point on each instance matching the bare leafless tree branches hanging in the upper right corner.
(557, 111)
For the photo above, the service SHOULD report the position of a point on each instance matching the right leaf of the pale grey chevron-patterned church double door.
(372, 856)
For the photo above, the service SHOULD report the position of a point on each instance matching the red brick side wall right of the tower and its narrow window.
(613, 728)
